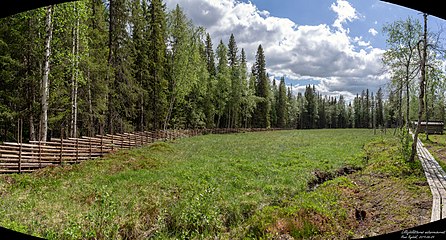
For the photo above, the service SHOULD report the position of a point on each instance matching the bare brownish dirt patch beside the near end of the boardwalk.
(383, 205)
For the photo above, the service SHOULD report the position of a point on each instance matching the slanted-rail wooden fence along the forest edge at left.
(28, 157)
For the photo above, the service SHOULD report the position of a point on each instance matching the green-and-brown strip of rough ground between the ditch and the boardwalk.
(393, 192)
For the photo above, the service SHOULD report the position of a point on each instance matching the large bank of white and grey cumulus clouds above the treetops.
(326, 53)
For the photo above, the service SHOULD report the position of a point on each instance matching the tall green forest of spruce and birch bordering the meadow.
(92, 67)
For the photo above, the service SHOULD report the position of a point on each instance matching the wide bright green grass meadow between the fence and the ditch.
(236, 186)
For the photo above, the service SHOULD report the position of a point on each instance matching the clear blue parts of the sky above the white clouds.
(373, 14)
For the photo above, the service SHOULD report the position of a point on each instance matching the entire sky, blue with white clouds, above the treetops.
(335, 45)
